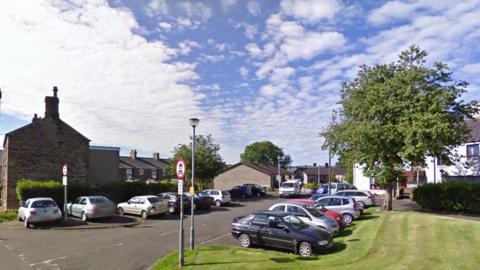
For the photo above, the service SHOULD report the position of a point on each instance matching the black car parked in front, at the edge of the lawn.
(280, 230)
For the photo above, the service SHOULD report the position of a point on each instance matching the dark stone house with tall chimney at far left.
(40, 149)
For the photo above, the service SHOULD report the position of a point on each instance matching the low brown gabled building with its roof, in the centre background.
(243, 173)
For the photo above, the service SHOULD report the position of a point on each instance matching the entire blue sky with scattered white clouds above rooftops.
(131, 73)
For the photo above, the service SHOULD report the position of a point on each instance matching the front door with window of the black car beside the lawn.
(276, 236)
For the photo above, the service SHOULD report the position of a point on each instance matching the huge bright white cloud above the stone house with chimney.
(114, 86)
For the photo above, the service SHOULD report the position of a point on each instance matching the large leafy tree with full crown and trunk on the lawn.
(394, 115)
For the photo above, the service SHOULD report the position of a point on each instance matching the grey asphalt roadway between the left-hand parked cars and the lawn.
(116, 248)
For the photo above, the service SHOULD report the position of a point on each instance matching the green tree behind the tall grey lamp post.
(208, 162)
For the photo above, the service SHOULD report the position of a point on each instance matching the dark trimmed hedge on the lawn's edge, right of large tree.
(450, 196)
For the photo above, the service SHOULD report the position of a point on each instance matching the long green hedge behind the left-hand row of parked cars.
(116, 191)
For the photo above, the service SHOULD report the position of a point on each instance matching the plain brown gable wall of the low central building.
(239, 175)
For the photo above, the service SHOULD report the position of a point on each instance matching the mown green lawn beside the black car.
(396, 240)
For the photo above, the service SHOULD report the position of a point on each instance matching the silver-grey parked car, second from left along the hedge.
(91, 207)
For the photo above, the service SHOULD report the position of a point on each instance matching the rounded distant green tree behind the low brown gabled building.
(265, 153)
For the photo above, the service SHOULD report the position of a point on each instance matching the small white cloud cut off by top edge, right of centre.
(311, 11)
